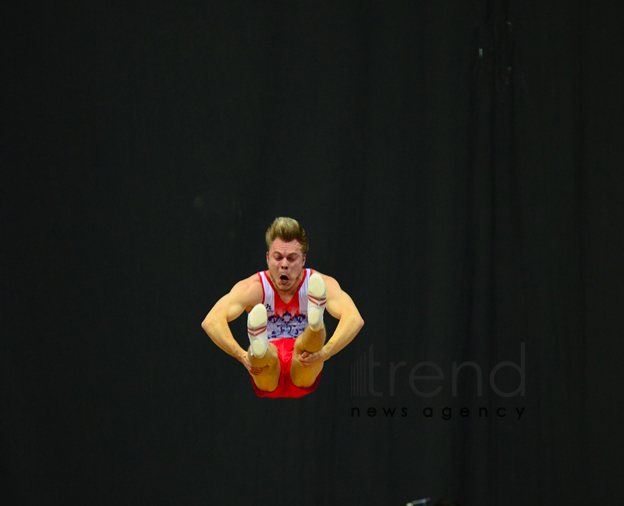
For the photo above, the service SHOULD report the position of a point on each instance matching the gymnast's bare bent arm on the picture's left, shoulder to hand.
(246, 293)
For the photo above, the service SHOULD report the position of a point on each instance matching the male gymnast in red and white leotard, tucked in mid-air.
(285, 306)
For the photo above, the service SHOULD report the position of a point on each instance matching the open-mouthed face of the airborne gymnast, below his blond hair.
(285, 261)
